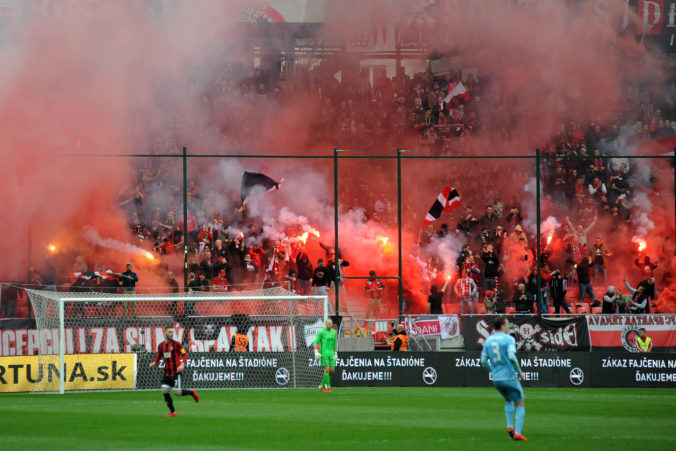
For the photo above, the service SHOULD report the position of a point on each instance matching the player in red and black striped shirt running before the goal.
(175, 358)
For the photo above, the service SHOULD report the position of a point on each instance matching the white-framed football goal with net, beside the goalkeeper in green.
(99, 341)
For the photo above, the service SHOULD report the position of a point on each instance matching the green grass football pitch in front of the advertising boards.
(349, 418)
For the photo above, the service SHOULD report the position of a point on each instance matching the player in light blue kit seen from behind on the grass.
(499, 357)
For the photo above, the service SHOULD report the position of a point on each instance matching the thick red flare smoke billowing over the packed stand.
(106, 82)
